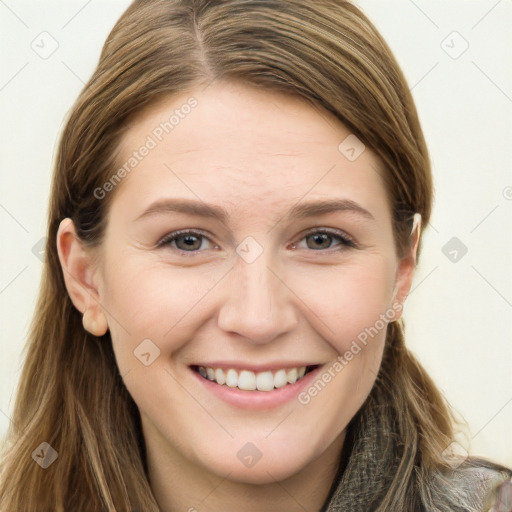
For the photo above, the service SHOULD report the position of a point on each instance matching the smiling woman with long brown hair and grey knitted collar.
(235, 222)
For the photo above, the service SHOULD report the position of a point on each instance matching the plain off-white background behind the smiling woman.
(455, 55)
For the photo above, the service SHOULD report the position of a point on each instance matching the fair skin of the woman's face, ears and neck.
(301, 302)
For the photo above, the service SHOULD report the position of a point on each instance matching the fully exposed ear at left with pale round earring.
(79, 273)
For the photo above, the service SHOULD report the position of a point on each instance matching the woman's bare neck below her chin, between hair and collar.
(179, 485)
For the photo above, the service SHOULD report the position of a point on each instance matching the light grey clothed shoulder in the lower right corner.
(470, 487)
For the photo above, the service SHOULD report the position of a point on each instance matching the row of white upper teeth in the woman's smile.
(250, 381)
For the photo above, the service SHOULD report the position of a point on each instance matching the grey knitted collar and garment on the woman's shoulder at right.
(371, 460)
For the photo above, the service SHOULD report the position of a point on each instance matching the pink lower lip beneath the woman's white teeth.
(258, 399)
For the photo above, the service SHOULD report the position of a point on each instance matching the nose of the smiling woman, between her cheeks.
(257, 304)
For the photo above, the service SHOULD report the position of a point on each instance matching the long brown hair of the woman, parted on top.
(70, 393)
